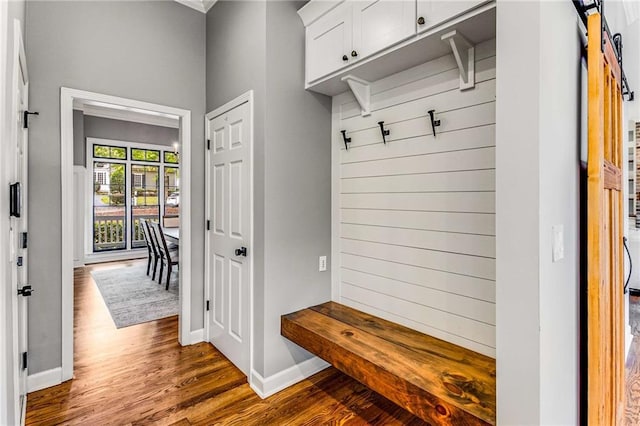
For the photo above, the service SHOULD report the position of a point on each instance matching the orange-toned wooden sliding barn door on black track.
(605, 308)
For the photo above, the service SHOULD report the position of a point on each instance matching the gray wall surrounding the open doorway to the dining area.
(146, 50)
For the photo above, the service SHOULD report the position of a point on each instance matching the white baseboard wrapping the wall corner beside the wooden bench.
(266, 387)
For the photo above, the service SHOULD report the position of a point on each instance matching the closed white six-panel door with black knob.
(229, 262)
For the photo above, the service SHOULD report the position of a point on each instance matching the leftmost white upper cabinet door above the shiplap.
(329, 43)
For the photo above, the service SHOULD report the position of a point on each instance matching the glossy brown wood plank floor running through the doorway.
(141, 375)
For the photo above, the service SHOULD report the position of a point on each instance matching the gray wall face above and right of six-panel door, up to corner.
(236, 50)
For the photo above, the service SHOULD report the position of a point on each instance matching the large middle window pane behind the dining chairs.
(144, 199)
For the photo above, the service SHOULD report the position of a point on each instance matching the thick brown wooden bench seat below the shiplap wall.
(442, 383)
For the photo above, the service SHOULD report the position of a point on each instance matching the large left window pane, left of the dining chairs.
(109, 213)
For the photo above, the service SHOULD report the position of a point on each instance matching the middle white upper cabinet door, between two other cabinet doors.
(378, 24)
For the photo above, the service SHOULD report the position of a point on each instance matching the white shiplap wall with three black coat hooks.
(414, 220)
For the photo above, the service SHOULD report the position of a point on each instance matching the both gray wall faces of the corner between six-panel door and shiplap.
(247, 41)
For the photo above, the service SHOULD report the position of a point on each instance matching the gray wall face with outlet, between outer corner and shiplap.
(298, 186)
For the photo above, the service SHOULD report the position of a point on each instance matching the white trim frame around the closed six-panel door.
(246, 97)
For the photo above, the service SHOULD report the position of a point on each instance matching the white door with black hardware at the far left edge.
(18, 232)
